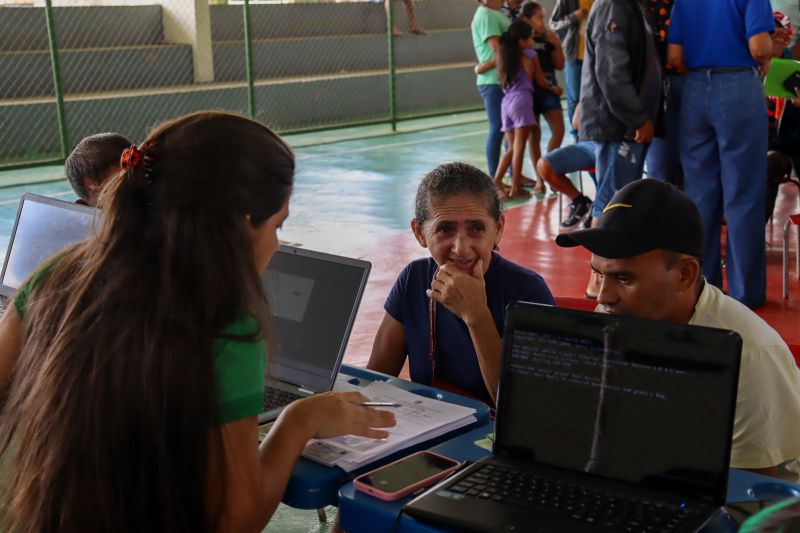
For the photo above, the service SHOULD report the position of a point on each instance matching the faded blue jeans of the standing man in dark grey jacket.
(618, 164)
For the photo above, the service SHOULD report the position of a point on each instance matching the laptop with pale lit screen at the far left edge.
(43, 227)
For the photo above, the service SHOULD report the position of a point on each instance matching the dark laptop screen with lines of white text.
(638, 401)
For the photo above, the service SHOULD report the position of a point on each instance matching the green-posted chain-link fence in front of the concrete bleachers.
(75, 68)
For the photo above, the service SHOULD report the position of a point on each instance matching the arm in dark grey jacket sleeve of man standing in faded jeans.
(612, 65)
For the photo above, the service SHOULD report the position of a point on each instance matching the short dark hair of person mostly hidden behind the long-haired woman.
(92, 158)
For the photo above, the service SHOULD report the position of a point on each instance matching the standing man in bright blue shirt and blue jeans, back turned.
(725, 46)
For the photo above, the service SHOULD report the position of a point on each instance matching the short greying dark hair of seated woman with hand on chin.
(452, 179)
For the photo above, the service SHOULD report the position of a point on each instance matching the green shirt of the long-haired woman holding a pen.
(238, 364)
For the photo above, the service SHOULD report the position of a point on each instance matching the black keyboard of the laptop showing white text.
(580, 503)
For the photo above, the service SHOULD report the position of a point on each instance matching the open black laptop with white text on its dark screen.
(603, 424)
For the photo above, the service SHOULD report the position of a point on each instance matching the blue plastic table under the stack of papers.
(314, 486)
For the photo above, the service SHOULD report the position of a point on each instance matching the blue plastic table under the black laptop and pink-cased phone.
(361, 513)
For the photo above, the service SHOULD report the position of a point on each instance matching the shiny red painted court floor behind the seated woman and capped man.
(528, 240)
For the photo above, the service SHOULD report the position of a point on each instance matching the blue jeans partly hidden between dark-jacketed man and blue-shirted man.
(663, 156)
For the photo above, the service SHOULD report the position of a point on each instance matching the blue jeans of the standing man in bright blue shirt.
(723, 147)
